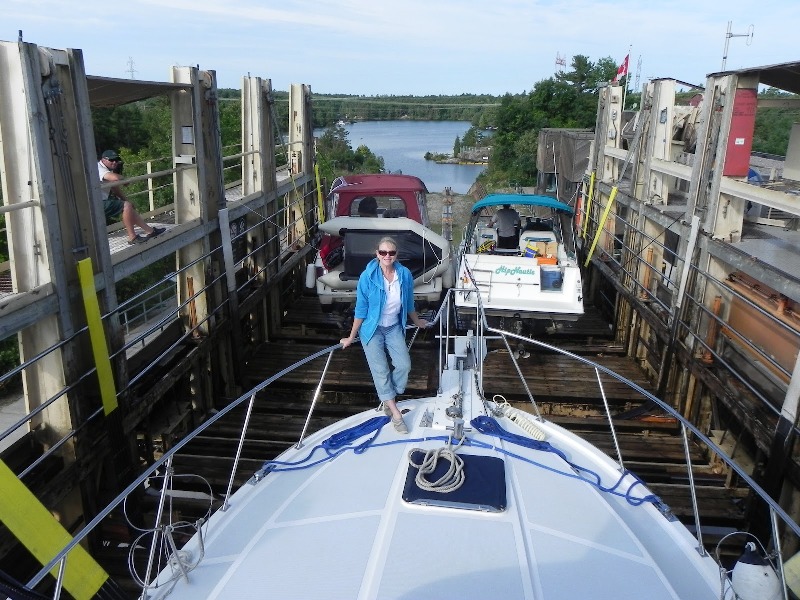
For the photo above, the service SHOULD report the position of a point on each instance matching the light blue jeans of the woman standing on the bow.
(389, 382)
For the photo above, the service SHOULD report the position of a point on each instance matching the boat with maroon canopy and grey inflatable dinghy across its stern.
(350, 237)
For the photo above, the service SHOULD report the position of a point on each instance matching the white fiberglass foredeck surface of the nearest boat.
(340, 529)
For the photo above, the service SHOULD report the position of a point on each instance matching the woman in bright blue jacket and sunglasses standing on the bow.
(384, 302)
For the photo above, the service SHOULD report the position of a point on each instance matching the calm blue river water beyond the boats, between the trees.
(403, 145)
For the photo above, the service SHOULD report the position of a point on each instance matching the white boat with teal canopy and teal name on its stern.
(539, 279)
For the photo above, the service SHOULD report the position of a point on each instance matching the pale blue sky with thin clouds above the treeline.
(376, 47)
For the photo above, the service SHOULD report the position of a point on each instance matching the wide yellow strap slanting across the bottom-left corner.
(43, 536)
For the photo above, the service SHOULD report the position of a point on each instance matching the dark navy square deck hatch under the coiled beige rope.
(484, 486)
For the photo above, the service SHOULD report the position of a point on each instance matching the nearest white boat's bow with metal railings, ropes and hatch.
(479, 500)
